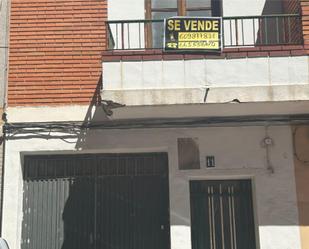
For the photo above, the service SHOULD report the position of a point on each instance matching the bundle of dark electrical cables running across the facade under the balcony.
(77, 127)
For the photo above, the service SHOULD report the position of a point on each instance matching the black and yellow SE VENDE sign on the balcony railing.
(193, 34)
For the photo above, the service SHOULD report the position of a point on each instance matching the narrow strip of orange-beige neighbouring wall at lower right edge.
(301, 162)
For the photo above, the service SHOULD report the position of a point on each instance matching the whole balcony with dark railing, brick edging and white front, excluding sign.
(264, 59)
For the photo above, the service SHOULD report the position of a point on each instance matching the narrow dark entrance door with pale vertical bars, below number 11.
(222, 215)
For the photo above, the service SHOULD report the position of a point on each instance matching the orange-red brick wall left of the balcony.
(55, 51)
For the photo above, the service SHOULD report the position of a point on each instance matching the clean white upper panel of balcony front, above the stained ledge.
(212, 73)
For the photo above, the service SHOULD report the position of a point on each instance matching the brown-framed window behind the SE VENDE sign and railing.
(160, 9)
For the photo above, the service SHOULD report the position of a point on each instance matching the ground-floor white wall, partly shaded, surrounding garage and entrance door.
(238, 154)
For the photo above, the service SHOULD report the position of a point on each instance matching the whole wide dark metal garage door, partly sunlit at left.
(107, 201)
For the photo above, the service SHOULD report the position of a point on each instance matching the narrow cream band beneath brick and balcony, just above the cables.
(79, 113)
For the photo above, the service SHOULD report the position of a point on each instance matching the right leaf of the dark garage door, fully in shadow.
(132, 202)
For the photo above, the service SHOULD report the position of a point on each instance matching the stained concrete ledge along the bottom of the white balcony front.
(136, 97)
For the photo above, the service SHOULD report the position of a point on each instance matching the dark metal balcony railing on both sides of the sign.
(238, 31)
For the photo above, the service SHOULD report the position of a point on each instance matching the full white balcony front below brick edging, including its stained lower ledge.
(185, 81)
